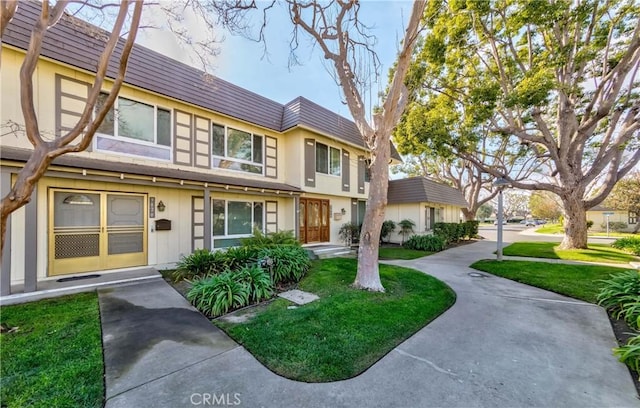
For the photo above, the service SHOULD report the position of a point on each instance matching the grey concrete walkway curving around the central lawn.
(502, 344)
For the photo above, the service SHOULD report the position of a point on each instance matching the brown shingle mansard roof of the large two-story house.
(77, 43)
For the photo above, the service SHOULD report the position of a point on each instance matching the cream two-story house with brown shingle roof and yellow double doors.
(184, 161)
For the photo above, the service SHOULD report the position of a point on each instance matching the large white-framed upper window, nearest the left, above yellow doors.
(135, 128)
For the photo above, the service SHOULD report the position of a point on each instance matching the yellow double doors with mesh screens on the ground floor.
(91, 231)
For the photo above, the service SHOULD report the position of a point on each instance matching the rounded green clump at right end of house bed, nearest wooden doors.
(285, 263)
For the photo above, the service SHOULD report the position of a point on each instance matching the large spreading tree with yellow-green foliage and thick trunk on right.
(553, 81)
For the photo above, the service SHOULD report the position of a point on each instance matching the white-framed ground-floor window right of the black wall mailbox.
(236, 218)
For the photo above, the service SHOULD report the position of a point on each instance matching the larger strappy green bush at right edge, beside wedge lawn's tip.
(619, 294)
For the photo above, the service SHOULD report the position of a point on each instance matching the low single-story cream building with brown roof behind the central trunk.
(425, 202)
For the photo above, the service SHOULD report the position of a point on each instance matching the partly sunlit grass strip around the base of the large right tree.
(595, 252)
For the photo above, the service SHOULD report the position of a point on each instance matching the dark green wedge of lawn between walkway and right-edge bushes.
(577, 281)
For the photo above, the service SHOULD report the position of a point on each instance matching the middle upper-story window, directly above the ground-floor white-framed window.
(237, 150)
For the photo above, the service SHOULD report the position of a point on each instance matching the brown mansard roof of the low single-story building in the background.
(422, 189)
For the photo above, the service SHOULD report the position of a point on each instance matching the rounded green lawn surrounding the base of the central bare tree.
(346, 330)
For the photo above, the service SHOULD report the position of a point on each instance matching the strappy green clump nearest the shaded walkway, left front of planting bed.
(216, 294)
